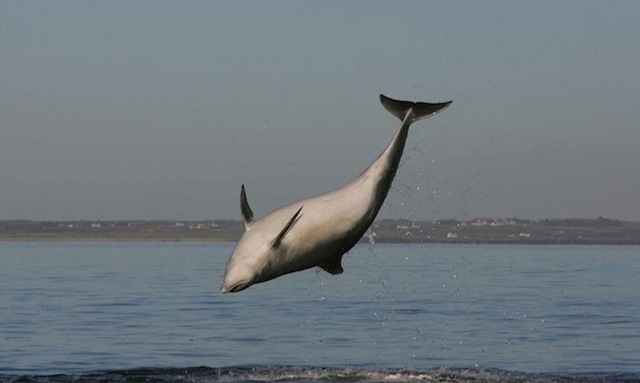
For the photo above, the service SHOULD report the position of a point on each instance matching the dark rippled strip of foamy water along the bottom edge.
(301, 374)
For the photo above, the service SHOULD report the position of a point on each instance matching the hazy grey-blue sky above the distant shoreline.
(163, 109)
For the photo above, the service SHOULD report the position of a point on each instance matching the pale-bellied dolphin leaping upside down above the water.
(318, 231)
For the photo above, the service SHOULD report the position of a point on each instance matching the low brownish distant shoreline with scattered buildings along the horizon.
(600, 231)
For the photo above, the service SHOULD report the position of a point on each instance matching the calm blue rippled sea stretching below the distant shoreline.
(137, 312)
